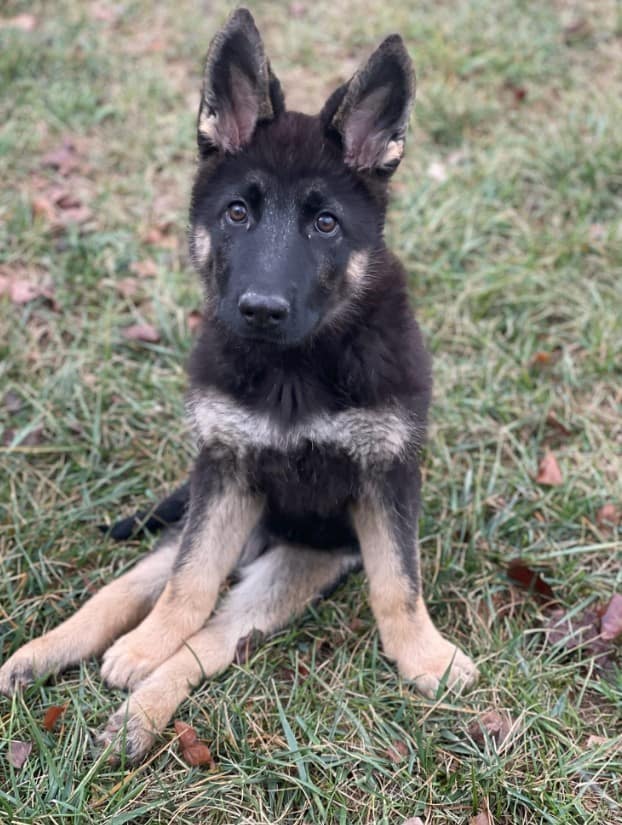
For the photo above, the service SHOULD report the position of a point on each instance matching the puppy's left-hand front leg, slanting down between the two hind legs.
(222, 514)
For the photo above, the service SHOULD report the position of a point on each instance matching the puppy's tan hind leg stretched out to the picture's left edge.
(114, 610)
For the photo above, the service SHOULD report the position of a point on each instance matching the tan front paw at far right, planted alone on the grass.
(441, 663)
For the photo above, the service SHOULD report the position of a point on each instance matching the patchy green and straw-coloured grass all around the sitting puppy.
(507, 215)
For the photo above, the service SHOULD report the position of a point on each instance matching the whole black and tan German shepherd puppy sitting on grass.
(310, 388)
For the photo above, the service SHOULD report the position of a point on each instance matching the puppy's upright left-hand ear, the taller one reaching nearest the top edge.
(239, 89)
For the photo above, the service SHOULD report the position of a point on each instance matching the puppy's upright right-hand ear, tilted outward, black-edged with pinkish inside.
(370, 112)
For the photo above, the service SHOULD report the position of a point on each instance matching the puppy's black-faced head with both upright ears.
(287, 209)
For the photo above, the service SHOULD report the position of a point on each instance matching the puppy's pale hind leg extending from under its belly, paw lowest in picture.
(275, 587)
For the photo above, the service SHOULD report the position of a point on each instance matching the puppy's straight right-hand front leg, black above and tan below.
(386, 522)
